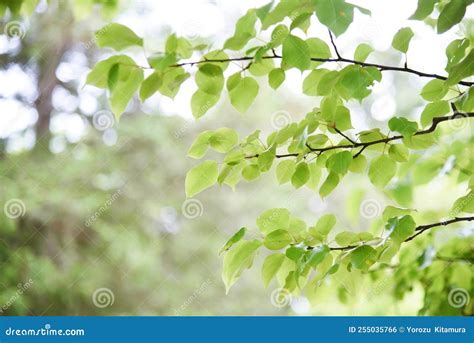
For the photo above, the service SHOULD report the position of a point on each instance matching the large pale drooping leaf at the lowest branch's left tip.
(237, 260)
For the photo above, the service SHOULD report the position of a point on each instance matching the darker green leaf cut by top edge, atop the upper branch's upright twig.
(337, 15)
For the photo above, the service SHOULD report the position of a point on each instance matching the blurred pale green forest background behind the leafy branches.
(95, 218)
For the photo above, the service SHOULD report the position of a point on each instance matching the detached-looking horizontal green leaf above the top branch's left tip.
(117, 37)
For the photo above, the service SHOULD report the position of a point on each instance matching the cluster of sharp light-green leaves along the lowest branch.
(297, 250)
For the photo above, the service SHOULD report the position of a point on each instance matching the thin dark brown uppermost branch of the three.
(381, 67)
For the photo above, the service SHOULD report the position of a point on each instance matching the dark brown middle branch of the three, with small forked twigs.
(434, 124)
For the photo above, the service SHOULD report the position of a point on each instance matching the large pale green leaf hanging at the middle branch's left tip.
(200, 177)
